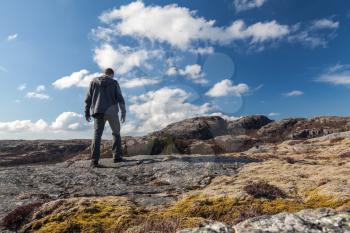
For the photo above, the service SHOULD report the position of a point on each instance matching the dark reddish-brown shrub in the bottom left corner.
(16, 218)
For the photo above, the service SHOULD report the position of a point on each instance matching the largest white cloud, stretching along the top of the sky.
(182, 27)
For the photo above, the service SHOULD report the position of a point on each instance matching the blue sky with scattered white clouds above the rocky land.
(174, 60)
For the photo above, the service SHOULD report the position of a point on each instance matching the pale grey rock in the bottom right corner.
(305, 221)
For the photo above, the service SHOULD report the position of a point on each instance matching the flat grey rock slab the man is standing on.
(148, 180)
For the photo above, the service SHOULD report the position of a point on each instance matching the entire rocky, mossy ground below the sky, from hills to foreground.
(193, 173)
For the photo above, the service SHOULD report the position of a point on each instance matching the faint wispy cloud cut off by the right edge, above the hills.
(338, 74)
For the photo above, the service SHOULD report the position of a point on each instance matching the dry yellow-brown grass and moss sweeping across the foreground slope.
(312, 174)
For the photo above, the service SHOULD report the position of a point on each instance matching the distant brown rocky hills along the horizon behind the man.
(199, 135)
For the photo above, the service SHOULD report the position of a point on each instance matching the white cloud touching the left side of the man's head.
(80, 78)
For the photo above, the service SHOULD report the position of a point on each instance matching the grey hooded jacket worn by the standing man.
(104, 96)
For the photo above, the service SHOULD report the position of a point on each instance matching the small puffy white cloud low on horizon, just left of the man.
(69, 121)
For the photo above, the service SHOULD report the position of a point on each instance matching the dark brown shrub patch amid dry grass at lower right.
(262, 189)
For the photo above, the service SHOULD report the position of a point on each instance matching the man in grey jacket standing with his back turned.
(103, 97)
